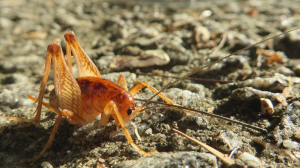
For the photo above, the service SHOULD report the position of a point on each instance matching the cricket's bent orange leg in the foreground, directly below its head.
(110, 109)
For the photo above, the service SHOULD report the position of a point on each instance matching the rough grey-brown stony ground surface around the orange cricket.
(140, 40)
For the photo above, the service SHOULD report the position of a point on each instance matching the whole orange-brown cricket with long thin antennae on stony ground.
(80, 100)
